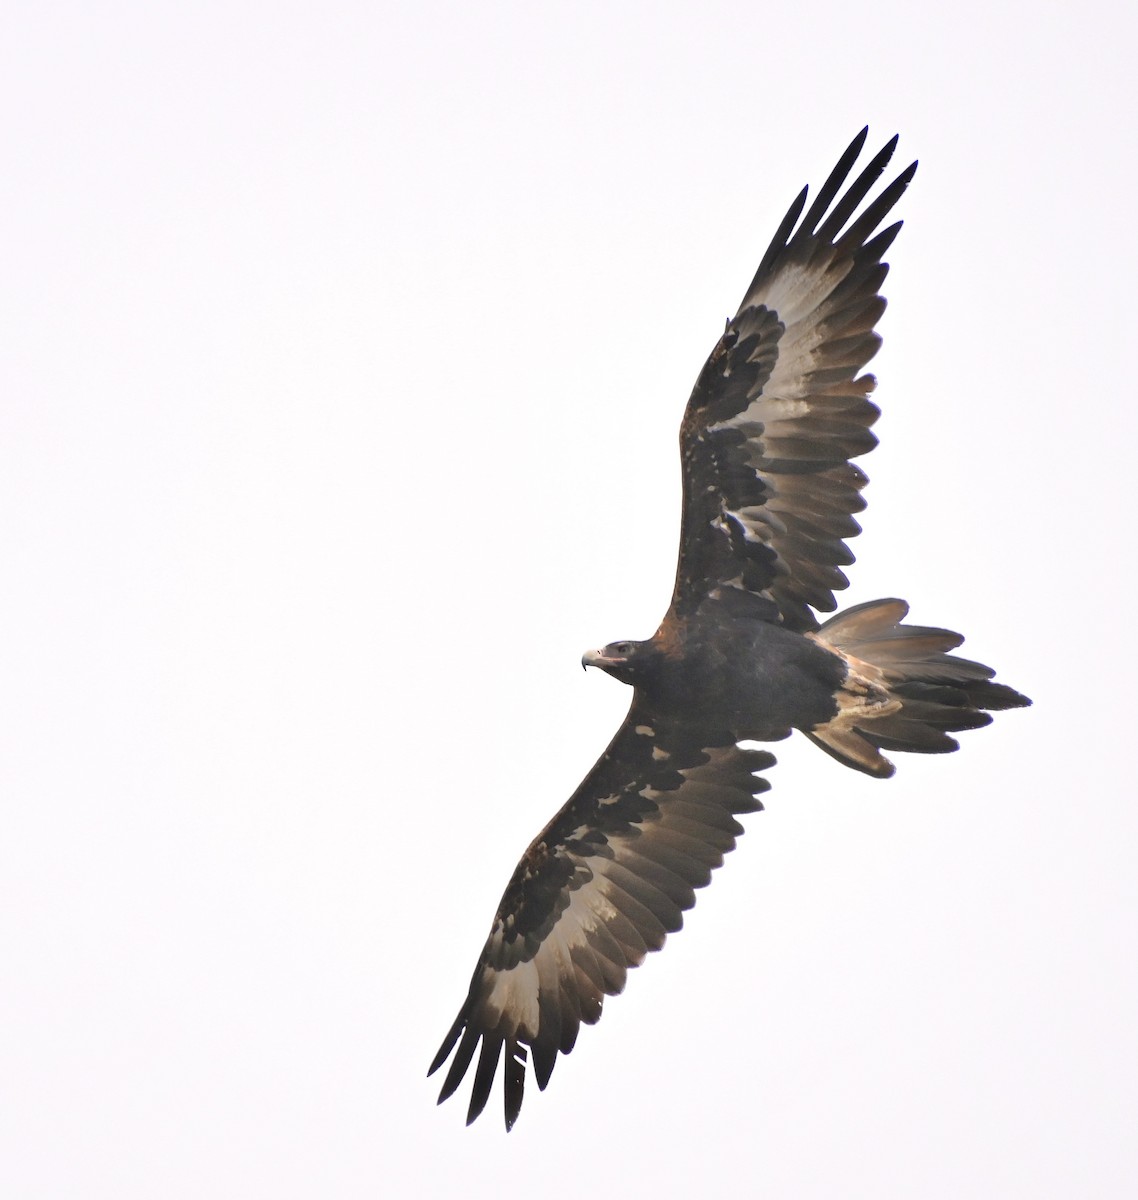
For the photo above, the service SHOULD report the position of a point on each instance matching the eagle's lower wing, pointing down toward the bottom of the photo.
(606, 881)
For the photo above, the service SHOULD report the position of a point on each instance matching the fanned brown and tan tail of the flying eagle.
(903, 689)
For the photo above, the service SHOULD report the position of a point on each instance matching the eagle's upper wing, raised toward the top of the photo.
(781, 409)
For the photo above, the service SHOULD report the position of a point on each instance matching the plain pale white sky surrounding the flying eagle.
(343, 353)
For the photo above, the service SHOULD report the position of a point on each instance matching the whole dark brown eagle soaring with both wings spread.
(770, 491)
